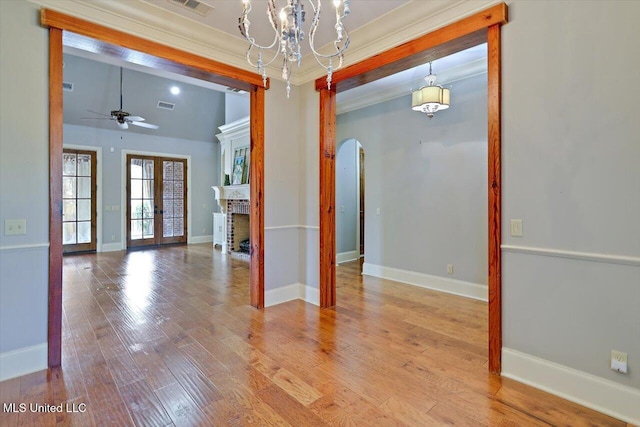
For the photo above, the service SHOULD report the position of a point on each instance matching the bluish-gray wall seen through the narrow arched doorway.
(348, 206)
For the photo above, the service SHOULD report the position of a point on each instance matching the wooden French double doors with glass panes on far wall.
(156, 200)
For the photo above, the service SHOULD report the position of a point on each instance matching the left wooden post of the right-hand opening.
(327, 197)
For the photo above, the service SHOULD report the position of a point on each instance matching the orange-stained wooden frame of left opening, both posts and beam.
(158, 56)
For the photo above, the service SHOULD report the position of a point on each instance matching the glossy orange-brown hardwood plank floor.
(167, 337)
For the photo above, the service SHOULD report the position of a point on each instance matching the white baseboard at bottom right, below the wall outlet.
(585, 389)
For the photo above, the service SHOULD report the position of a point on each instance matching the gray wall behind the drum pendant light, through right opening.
(428, 177)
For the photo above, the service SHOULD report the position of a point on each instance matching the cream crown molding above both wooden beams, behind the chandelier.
(151, 22)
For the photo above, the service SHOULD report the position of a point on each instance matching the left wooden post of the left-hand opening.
(55, 198)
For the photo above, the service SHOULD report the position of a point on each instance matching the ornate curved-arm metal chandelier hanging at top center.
(289, 34)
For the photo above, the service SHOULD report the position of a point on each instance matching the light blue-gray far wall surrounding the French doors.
(205, 172)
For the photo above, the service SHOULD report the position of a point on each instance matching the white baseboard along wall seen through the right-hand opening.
(438, 283)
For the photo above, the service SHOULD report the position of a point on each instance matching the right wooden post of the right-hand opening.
(494, 95)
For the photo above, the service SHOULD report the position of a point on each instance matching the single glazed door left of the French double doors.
(78, 201)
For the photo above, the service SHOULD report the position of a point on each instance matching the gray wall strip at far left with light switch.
(24, 176)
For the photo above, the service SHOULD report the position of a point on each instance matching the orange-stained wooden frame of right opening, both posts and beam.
(482, 27)
